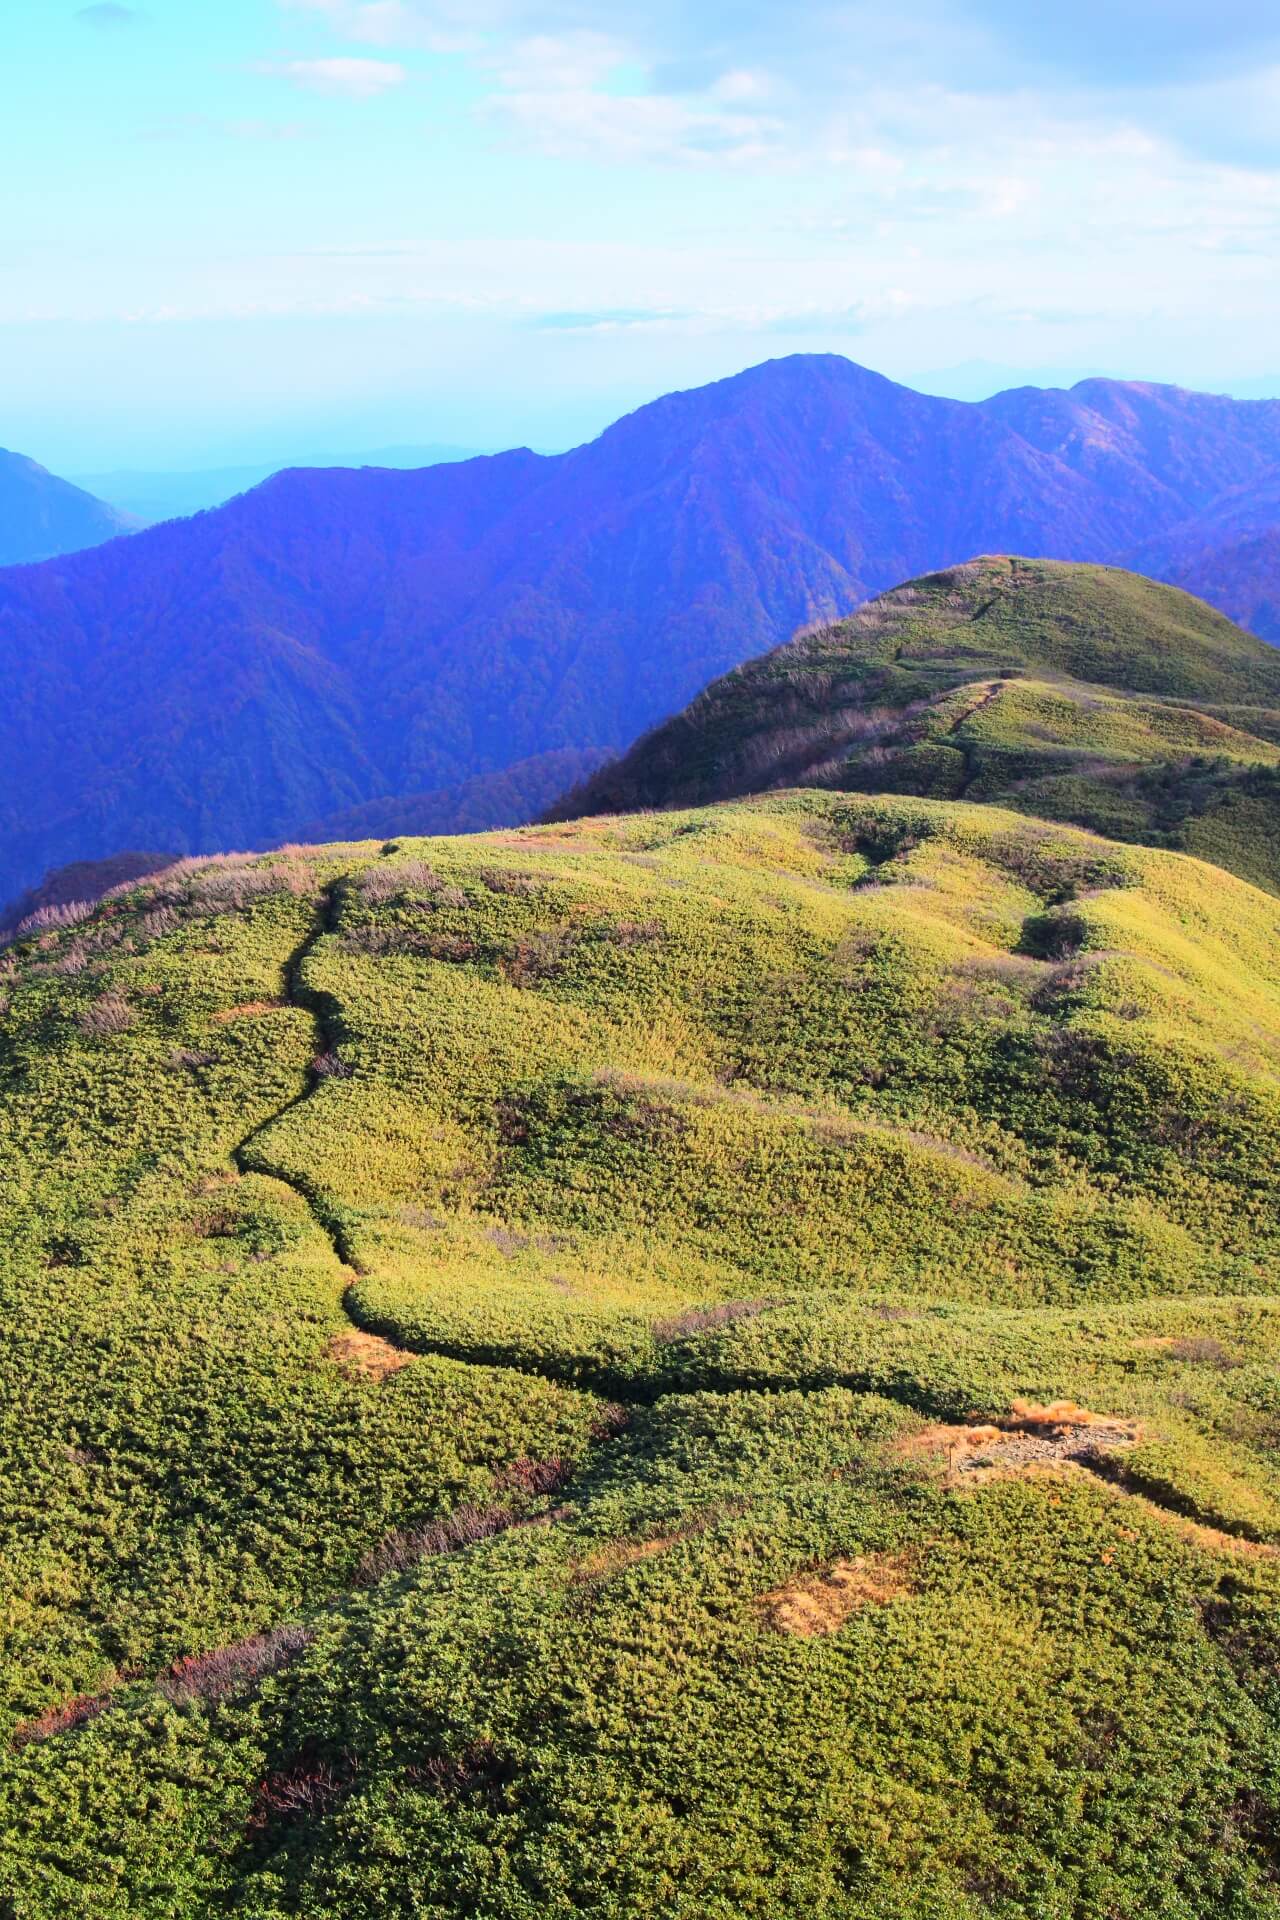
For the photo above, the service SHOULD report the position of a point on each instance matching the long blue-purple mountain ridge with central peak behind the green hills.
(339, 638)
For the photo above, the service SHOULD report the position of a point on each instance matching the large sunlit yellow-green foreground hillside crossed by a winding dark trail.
(715, 1364)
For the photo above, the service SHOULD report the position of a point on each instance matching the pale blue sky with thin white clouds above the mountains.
(262, 229)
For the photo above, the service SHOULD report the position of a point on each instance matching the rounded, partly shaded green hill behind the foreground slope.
(1068, 692)
